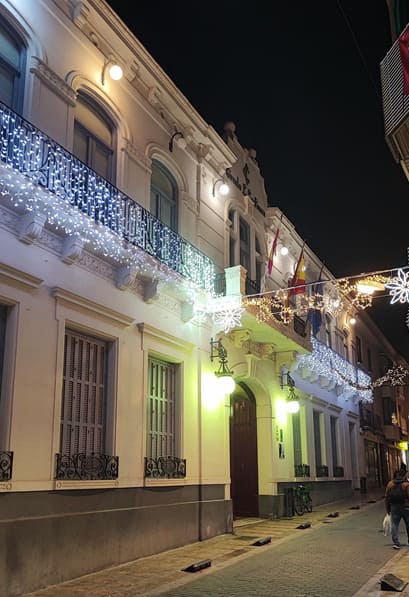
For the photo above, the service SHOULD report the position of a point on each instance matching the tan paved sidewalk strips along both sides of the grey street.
(156, 574)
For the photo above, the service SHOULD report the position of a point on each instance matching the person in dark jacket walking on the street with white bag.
(397, 504)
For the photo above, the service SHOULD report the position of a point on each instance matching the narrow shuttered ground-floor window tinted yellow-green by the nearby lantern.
(163, 409)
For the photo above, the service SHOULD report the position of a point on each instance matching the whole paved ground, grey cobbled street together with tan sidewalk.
(335, 556)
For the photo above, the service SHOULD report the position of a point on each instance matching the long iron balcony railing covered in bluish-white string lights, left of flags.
(26, 149)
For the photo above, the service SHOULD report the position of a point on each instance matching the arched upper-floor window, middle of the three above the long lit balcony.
(93, 137)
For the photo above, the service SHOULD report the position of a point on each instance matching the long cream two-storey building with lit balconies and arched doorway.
(120, 264)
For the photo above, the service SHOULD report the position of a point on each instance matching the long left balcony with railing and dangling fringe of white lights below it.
(41, 178)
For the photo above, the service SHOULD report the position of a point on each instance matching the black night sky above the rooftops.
(301, 81)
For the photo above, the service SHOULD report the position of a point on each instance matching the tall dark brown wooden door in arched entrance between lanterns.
(243, 453)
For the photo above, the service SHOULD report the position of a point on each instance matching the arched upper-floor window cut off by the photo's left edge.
(12, 67)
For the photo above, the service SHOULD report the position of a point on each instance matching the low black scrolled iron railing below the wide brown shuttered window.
(86, 466)
